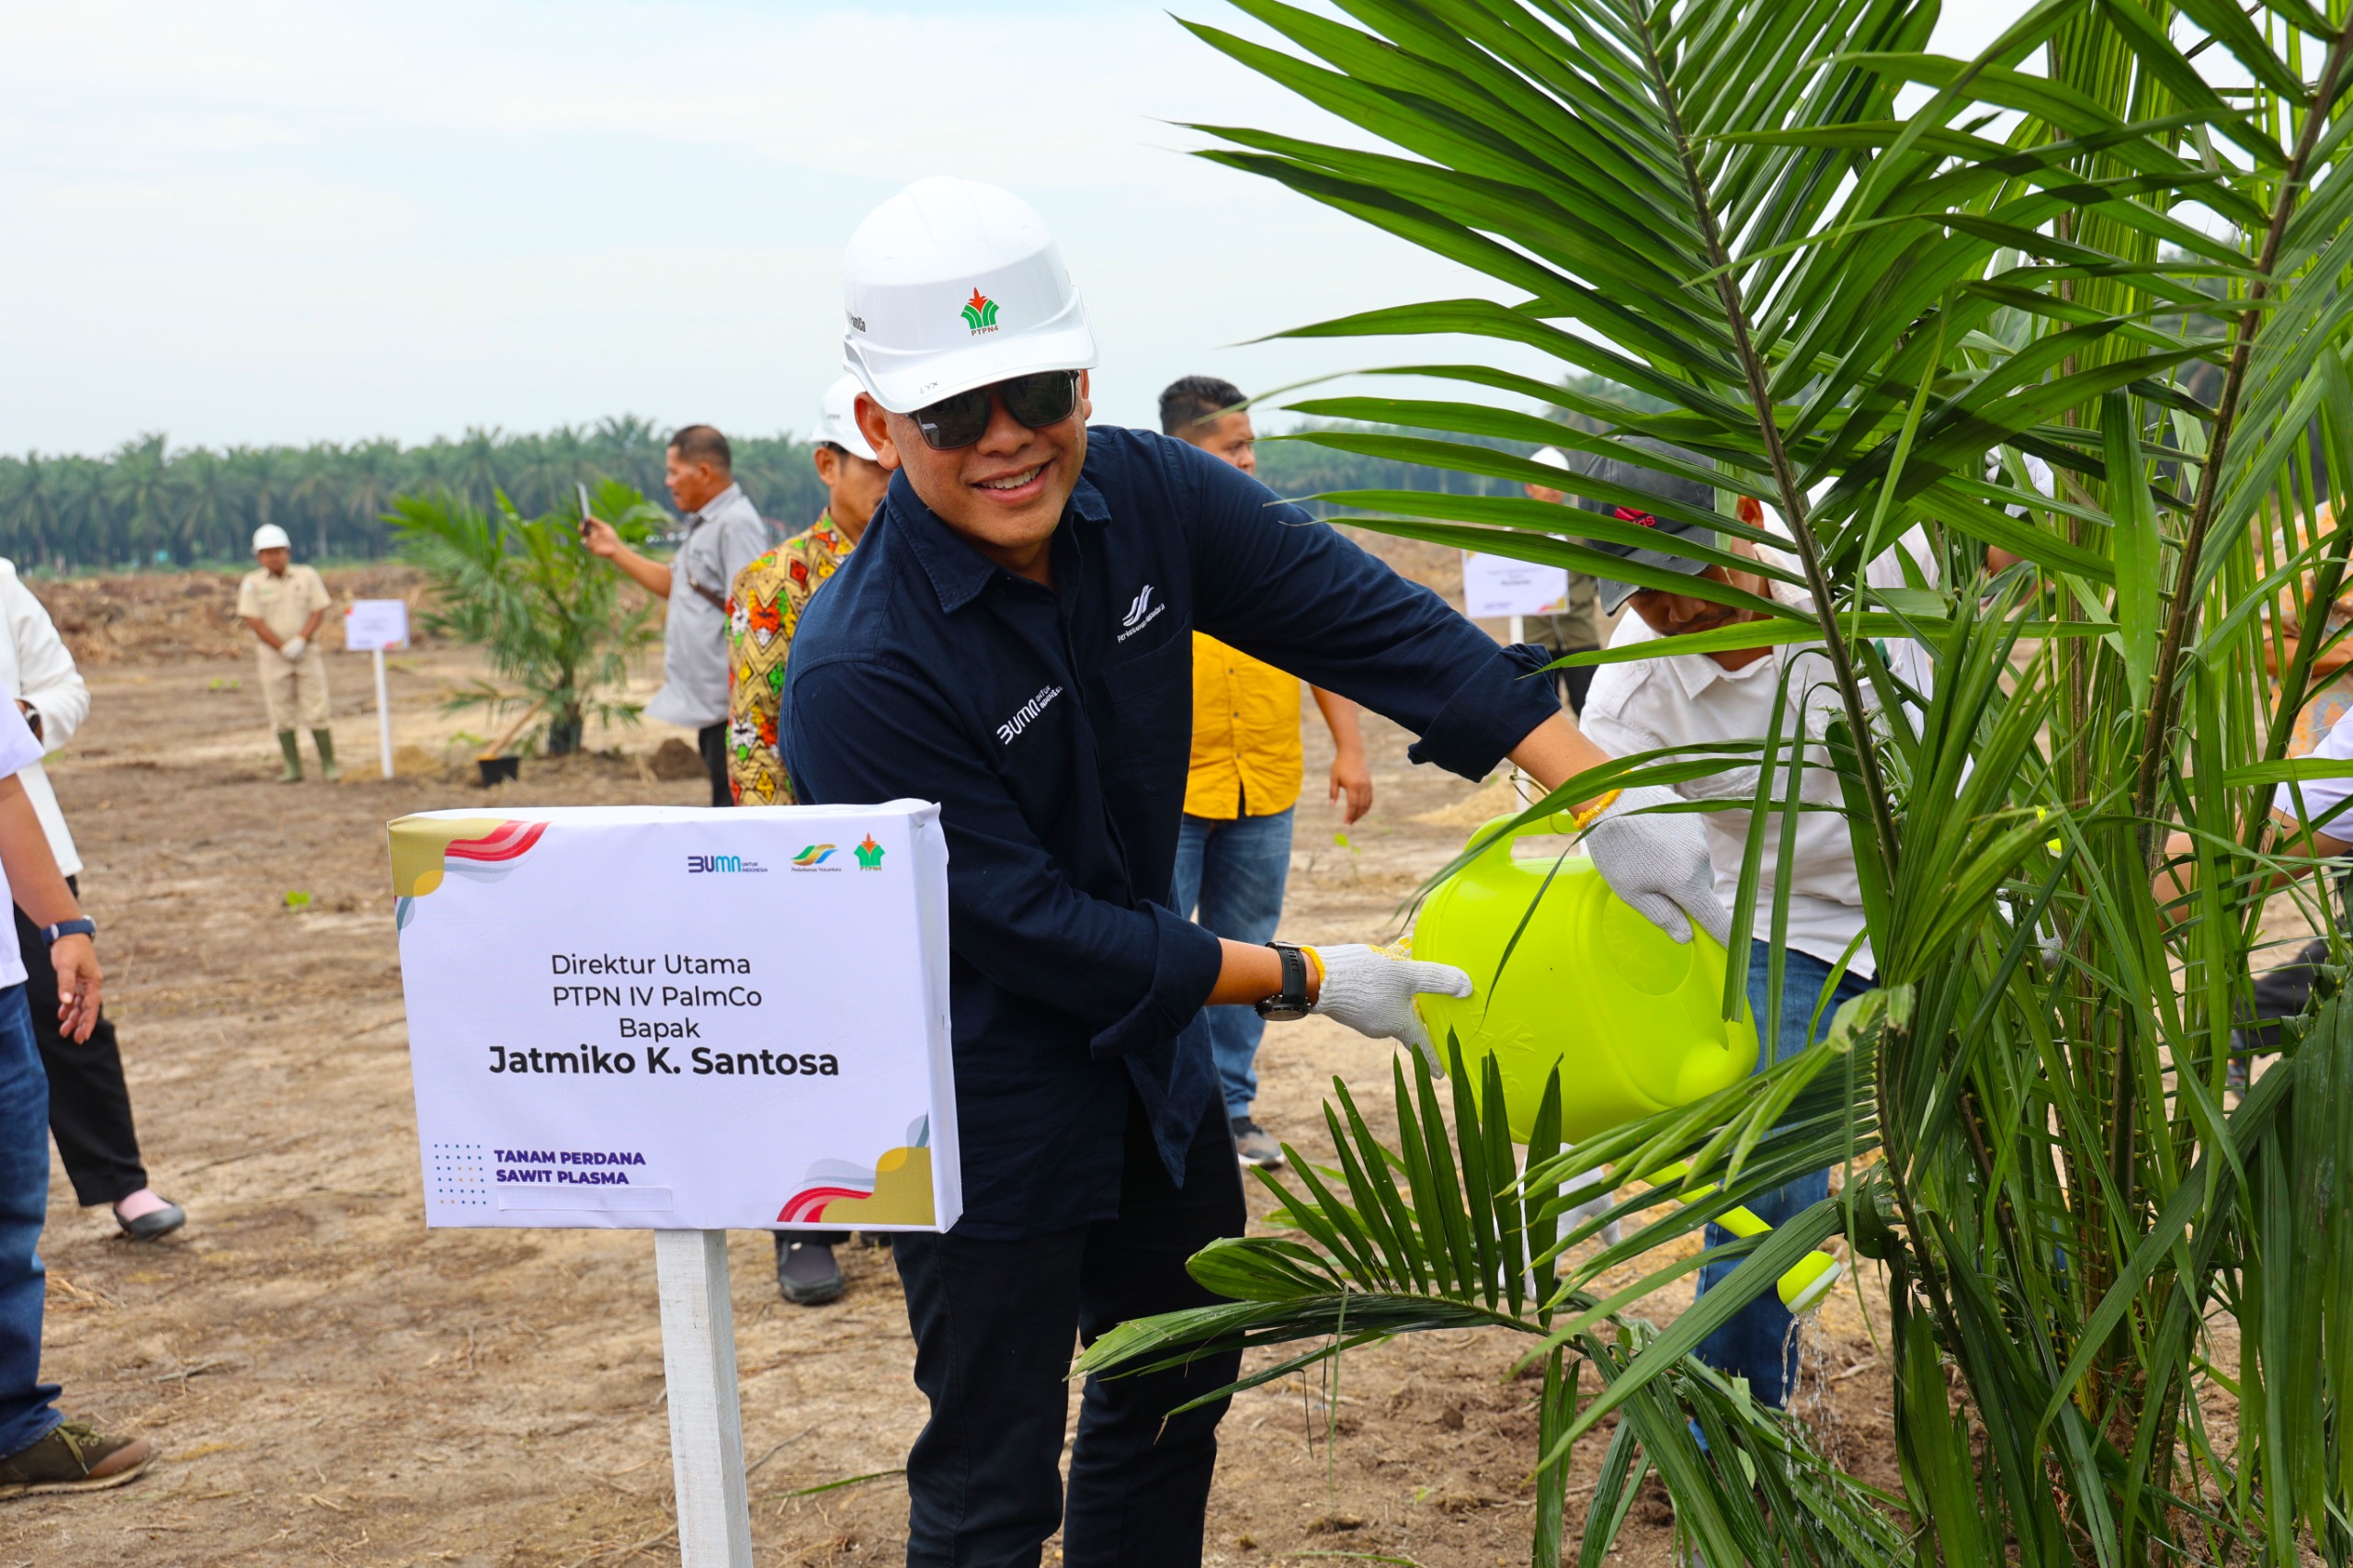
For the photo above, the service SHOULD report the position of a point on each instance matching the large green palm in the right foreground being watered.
(2121, 1301)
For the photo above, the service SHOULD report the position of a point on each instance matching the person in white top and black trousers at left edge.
(91, 1108)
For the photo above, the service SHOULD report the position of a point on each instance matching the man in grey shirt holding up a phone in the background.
(724, 536)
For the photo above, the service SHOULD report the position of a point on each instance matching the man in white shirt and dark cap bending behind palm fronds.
(1698, 700)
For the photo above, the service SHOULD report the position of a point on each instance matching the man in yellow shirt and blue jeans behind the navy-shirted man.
(1234, 846)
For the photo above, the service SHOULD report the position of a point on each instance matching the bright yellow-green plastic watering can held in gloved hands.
(1627, 1014)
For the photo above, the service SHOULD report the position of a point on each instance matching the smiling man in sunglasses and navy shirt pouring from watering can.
(1015, 642)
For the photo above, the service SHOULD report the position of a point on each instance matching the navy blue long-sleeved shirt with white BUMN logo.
(1055, 729)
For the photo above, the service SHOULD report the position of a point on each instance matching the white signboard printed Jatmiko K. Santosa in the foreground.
(681, 1018)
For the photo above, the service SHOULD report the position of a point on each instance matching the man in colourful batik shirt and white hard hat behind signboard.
(764, 613)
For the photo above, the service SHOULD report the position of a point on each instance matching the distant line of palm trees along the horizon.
(152, 507)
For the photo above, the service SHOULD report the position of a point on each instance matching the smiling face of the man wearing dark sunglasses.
(1006, 491)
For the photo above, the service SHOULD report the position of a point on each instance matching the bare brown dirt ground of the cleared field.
(333, 1383)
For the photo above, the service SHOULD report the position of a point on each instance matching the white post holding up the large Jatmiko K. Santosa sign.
(707, 1418)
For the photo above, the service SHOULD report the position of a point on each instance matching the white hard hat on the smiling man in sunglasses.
(954, 286)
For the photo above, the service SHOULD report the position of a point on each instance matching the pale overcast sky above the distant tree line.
(281, 222)
